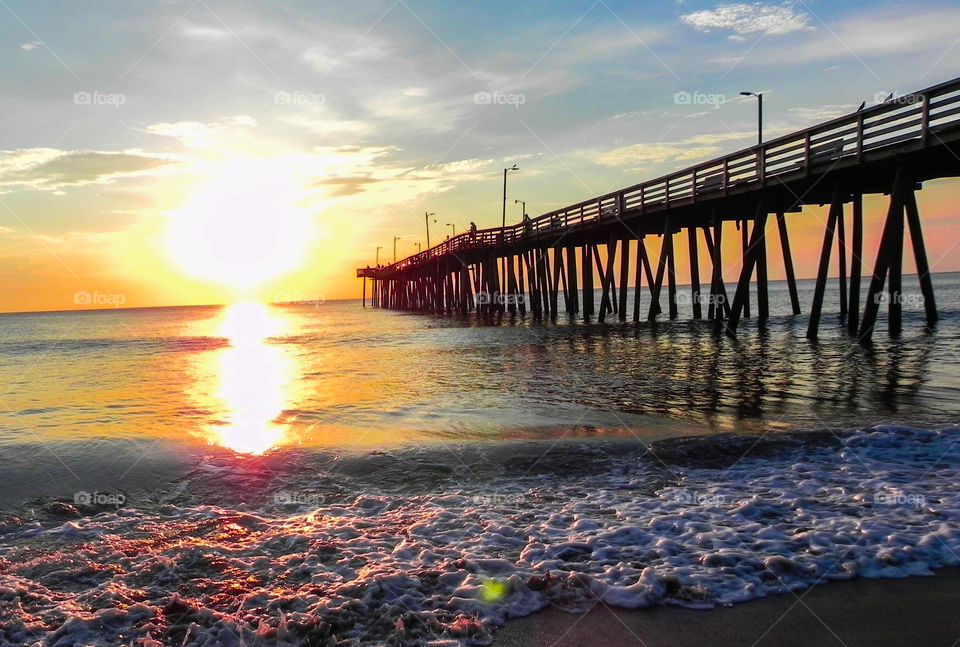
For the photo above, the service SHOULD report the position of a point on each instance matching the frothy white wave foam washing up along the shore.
(445, 568)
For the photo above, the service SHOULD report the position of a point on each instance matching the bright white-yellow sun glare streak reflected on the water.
(252, 376)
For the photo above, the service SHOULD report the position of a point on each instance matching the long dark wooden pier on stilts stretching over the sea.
(886, 149)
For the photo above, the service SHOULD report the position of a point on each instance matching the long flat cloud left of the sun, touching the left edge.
(51, 169)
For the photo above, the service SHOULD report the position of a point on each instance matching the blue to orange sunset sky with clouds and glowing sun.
(206, 151)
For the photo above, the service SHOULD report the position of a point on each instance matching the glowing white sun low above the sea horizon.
(243, 226)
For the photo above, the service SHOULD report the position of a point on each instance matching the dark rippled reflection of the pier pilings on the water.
(757, 380)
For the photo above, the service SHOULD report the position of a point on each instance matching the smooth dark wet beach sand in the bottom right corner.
(911, 611)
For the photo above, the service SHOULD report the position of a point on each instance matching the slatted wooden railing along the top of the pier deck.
(915, 117)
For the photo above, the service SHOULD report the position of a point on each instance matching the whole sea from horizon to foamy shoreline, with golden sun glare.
(328, 474)
